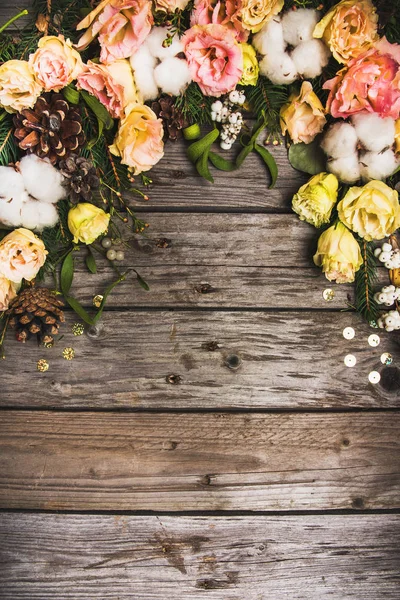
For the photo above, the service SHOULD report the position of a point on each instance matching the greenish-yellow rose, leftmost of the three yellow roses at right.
(316, 198)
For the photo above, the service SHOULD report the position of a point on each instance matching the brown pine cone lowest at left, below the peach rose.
(36, 311)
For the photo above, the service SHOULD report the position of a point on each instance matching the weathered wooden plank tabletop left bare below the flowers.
(269, 471)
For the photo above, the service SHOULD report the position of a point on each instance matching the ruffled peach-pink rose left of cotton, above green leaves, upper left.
(112, 85)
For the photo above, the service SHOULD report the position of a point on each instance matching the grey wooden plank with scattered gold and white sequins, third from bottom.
(286, 360)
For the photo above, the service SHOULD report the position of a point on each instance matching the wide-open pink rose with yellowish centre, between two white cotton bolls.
(214, 58)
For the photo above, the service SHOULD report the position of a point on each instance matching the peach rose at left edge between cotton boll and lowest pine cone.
(22, 254)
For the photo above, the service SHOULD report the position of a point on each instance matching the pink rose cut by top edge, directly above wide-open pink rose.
(220, 12)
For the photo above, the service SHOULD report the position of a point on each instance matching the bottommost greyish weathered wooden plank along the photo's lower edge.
(55, 557)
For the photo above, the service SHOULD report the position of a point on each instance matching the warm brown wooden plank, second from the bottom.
(107, 461)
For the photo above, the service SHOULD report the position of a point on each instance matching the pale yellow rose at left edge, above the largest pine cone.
(18, 86)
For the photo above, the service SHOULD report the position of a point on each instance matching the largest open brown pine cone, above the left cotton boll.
(51, 129)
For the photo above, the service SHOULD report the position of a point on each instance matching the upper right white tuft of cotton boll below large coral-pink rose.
(374, 133)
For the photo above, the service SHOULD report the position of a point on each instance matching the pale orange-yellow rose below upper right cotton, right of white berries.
(303, 116)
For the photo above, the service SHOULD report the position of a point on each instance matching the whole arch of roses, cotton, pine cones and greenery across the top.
(91, 91)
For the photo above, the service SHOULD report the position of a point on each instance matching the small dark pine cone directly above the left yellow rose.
(80, 177)
